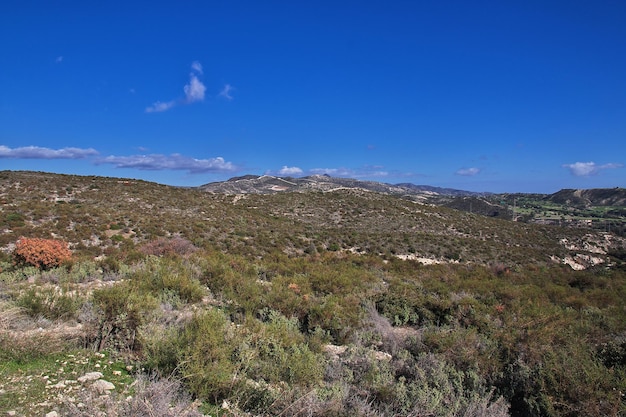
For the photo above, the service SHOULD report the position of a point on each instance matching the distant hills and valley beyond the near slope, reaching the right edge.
(599, 209)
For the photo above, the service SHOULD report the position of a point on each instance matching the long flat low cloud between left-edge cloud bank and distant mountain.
(157, 162)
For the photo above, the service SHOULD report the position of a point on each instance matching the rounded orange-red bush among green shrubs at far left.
(42, 253)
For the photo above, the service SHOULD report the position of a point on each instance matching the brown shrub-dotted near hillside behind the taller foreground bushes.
(95, 214)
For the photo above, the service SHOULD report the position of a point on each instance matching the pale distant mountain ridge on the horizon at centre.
(268, 184)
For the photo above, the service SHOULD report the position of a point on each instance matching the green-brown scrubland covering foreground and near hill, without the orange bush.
(298, 305)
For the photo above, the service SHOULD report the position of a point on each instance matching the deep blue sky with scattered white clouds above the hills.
(501, 96)
